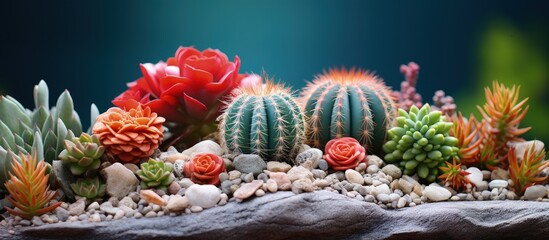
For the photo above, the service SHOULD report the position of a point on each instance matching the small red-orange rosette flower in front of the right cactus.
(344, 153)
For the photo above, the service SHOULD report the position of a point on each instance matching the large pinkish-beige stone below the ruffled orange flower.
(119, 180)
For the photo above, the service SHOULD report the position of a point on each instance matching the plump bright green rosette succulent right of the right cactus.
(420, 142)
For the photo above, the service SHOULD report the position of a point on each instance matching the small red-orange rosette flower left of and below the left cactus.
(205, 168)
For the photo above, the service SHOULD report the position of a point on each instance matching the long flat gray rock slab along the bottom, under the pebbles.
(318, 215)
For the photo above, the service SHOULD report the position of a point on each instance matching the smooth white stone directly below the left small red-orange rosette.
(205, 196)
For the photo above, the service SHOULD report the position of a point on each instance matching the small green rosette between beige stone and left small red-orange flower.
(155, 174)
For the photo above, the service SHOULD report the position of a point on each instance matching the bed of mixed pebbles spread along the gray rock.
(249, 176)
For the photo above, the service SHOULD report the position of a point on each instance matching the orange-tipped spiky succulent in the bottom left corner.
(28, 188)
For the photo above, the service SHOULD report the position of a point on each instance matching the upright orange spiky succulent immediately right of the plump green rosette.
(466, 132)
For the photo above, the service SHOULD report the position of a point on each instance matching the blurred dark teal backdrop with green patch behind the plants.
(93, 48)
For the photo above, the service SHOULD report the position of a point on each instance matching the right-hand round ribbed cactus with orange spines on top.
(348, 103)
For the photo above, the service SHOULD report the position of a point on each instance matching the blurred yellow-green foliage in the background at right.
(512, 55)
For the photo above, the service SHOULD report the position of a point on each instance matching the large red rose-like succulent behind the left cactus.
(187, 90)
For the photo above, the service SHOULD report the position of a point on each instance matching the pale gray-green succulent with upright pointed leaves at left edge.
(21, 129)
